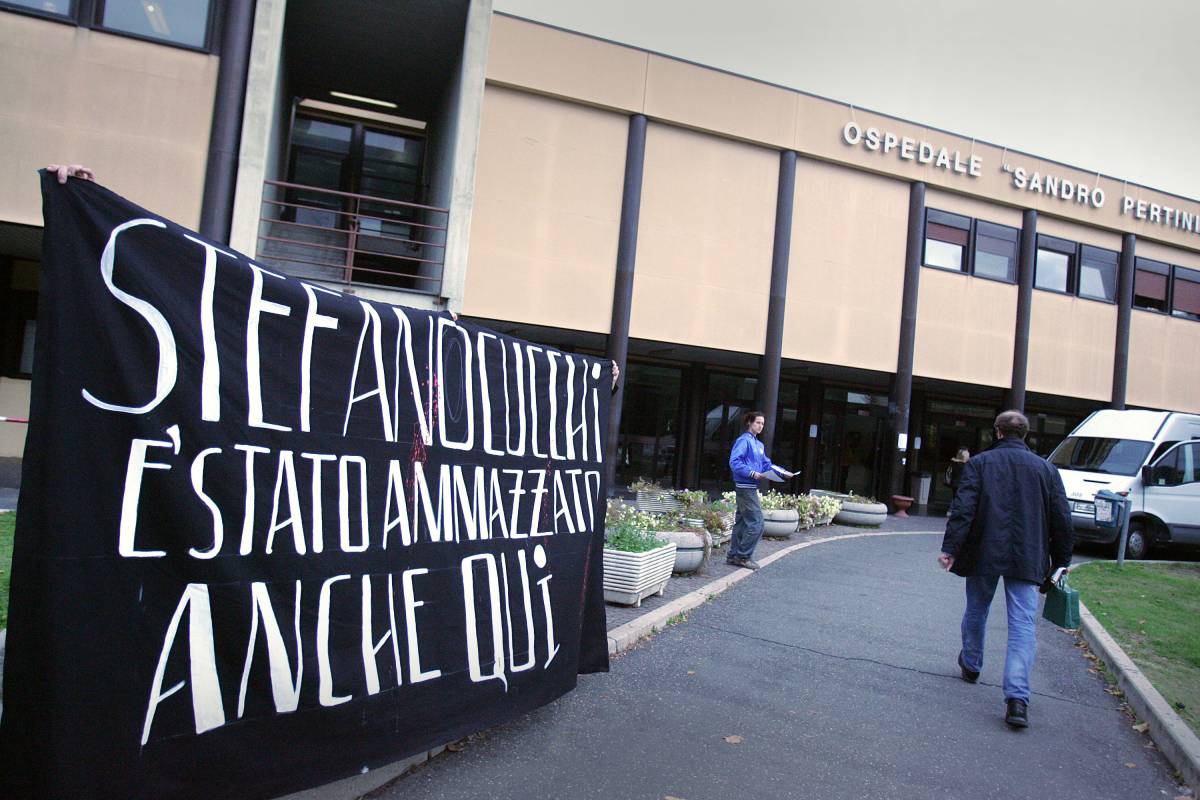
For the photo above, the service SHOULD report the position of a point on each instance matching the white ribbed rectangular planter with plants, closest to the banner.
(637, 563)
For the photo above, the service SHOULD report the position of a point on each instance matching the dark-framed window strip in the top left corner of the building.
(185, 23)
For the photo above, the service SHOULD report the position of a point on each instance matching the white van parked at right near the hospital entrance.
(1153, 458)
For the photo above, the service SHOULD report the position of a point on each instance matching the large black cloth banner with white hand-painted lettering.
(272, 534)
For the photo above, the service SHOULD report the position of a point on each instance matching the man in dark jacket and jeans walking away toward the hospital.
(1010, 520)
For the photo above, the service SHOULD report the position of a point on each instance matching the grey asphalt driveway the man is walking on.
(836, 669)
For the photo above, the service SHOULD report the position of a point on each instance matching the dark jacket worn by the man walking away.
(1010, 516)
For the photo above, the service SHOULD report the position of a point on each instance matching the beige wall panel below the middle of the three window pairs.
(1071, 347)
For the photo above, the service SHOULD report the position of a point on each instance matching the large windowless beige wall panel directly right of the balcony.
(548, 212)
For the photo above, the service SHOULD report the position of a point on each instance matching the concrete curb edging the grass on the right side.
(1174, 738)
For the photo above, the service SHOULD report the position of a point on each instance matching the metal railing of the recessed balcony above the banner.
(344, 238)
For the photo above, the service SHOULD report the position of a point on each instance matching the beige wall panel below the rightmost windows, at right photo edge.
(1165, 369)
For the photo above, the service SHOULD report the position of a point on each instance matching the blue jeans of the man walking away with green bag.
(1022, 598)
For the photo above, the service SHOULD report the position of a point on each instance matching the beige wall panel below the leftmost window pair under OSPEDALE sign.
(965, 329)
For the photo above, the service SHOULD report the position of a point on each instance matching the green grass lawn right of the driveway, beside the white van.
(1154, 613)
